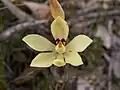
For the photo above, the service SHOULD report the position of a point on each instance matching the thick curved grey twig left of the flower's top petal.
(20, 27)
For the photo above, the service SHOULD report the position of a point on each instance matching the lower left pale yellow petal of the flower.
(43, 60)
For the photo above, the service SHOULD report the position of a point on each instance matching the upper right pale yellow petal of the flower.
(79, 43)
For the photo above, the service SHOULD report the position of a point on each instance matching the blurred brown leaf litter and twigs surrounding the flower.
(98, 19)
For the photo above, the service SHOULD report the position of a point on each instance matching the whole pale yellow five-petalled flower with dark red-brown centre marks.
(62, 52)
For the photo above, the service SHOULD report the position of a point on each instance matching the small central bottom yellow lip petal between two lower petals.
(59, 61)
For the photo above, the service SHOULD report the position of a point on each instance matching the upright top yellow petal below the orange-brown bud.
(59, 28)
